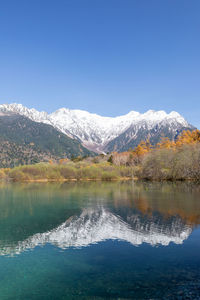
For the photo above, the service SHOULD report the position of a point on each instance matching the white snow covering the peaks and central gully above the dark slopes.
(95, 131)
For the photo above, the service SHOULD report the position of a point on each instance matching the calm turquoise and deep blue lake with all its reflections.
(100, 241)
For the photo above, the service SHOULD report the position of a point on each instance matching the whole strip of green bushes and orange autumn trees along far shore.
(167, 160)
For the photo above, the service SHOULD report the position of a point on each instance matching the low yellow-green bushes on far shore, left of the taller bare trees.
(70, 171)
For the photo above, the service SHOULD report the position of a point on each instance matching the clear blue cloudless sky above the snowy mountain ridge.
(104, 56)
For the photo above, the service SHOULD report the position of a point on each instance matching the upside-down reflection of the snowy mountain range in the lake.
(97, 225)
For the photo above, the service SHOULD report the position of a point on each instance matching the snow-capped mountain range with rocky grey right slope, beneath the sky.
(99, 133)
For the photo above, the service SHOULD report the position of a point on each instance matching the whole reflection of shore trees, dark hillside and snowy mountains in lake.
(78, 215)
